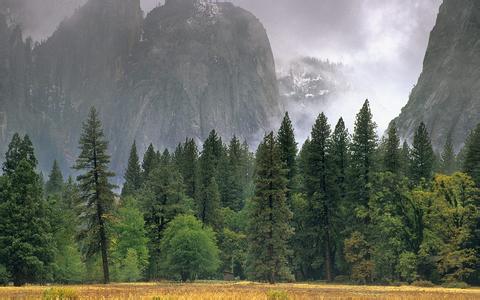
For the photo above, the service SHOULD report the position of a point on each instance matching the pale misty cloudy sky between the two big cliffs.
(384, 41)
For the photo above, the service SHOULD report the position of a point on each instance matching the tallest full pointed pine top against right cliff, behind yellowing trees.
(422, 156)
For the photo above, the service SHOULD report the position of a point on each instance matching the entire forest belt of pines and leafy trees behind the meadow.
(344, 207)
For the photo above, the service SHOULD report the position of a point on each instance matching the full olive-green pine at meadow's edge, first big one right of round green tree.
(269, 228)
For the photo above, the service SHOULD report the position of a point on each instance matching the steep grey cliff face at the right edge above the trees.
(447, 95)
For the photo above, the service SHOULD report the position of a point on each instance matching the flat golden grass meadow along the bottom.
(233, 291)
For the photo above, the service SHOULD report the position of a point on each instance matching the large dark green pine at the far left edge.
(26, 241)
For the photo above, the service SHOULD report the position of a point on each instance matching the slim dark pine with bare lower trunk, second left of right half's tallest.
(321, 193)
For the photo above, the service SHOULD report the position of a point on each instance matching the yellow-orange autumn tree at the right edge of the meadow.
(450, 226)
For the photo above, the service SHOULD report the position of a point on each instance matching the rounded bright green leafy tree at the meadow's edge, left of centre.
(189, 250)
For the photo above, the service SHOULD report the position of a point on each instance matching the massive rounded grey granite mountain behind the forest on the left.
(188, 67)
